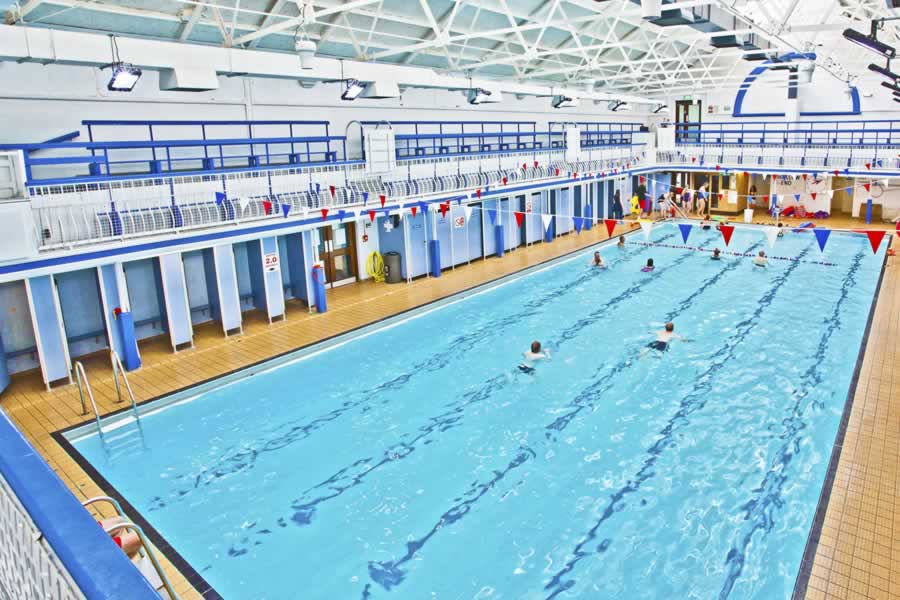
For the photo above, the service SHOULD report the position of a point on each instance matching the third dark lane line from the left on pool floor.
(388, 574)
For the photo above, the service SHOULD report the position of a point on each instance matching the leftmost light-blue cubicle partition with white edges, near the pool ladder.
(50, 337)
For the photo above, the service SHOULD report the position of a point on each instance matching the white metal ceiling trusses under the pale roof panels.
(601, 44)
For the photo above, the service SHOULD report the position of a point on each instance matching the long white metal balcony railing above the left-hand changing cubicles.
(72, 215)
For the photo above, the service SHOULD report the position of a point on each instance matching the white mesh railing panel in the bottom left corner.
(29, 568)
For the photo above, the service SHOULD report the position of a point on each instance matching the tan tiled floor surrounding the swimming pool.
(859, 552)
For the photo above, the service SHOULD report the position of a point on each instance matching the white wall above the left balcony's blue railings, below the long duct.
(40, 102)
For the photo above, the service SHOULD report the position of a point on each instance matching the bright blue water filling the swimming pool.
(416, 462)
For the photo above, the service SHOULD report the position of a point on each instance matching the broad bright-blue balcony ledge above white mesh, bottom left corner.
(99, 568)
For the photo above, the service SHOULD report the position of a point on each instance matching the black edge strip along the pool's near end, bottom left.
(159, 542)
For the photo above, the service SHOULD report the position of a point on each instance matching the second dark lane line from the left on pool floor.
(304, 510)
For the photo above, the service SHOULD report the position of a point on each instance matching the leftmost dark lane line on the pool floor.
(301, 428)
